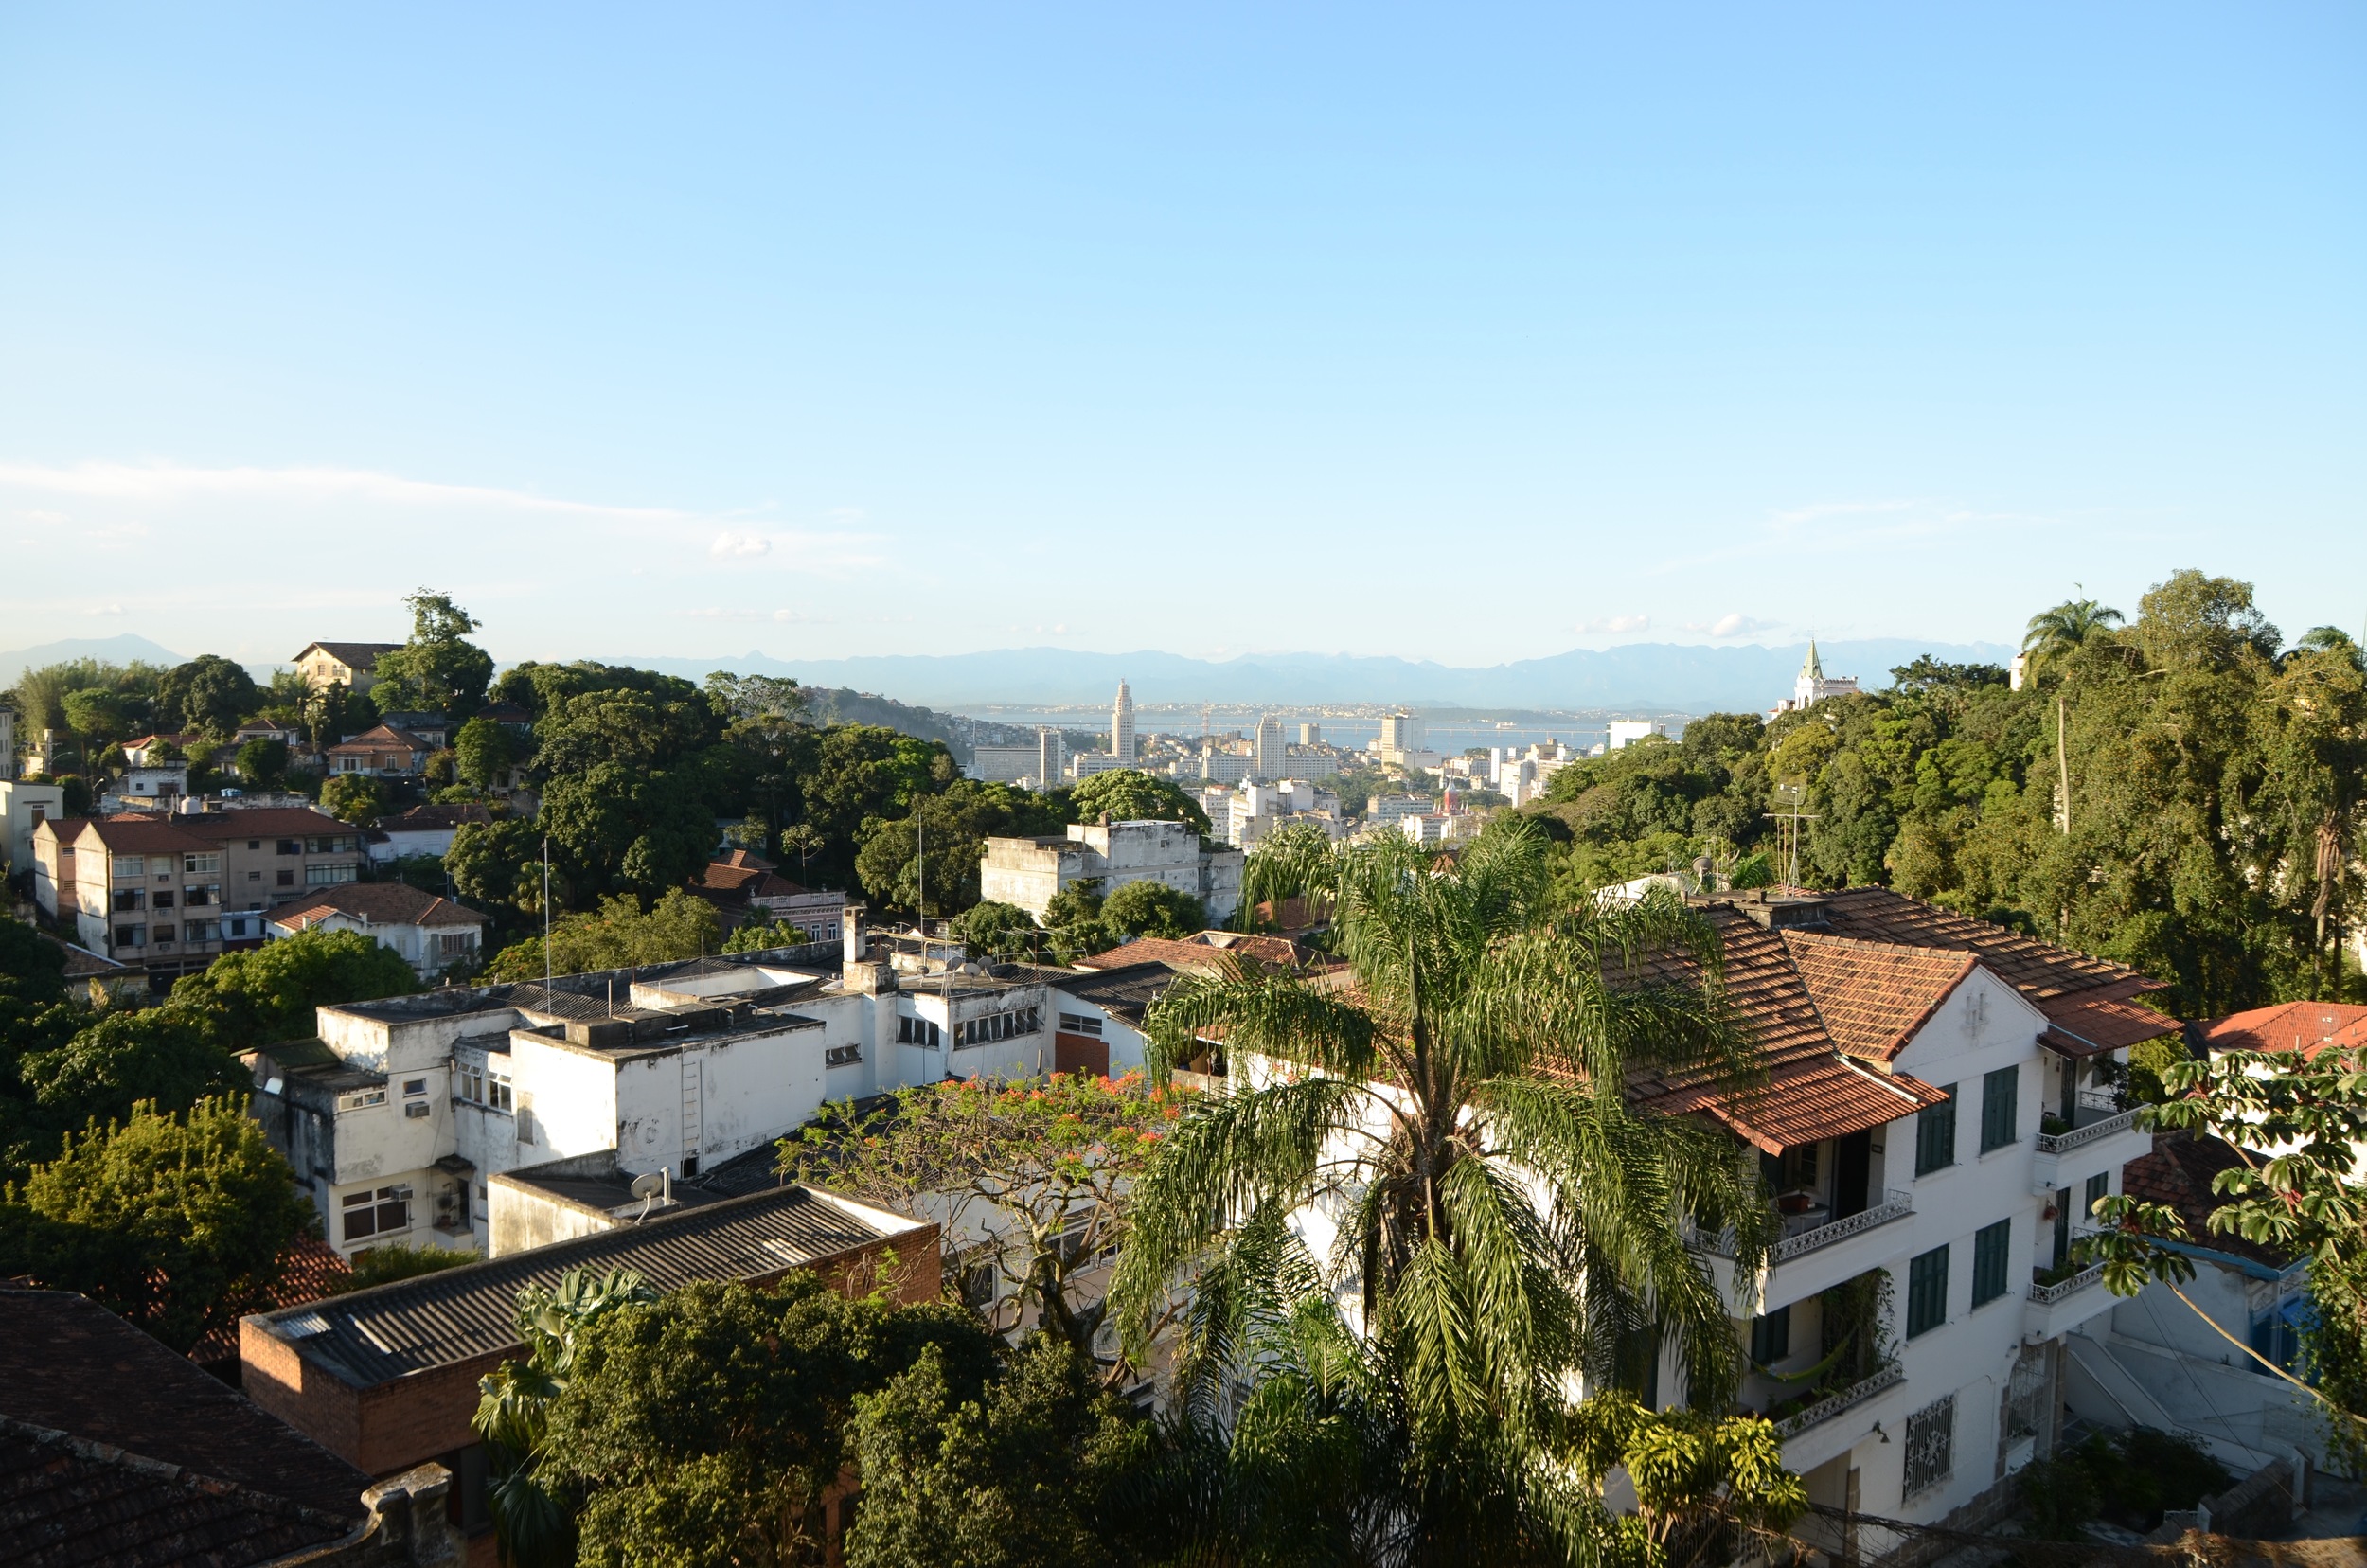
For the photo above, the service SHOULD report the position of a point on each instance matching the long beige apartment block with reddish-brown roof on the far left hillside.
(174, 892)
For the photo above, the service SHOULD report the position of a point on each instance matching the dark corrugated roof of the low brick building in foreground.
(437, 1320)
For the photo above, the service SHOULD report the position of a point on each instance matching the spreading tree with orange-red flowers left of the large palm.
(1028, 1183)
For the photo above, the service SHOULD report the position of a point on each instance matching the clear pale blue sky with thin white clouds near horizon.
(1447, 333)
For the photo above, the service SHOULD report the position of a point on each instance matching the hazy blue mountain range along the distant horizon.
(1649, 676)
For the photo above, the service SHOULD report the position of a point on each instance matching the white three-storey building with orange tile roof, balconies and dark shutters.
(1942, 1110)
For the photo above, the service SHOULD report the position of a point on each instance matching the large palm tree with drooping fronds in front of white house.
(1455, 1114)
